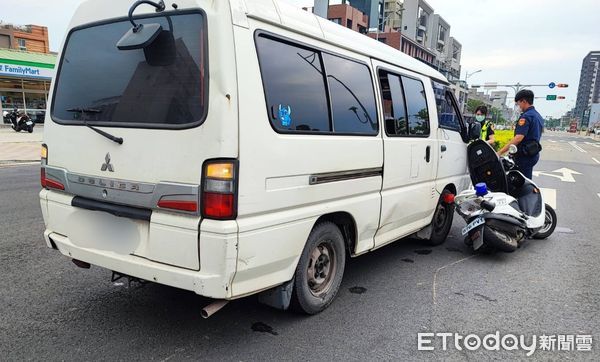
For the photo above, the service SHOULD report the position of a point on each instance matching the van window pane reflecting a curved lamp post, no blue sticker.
(352, 96)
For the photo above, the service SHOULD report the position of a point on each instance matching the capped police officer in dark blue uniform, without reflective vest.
(528, 132)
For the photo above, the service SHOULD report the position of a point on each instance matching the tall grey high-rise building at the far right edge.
(588, 92)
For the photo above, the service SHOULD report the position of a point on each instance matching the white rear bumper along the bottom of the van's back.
(217, 255)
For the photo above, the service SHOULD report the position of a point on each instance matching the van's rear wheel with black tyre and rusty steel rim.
(324, 259)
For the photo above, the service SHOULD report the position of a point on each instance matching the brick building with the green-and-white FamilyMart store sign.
(26, 69)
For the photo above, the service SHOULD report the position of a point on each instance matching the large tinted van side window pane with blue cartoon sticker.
(294, 86)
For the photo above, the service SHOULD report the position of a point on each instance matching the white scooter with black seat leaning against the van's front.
(505, 208)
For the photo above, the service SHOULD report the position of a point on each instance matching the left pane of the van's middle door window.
(394, 110)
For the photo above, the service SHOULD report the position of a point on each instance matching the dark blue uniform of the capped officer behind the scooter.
(530, 125)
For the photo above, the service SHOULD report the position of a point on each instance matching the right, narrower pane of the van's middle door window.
(416, 105)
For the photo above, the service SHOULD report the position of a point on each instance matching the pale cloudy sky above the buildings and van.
(526, 41)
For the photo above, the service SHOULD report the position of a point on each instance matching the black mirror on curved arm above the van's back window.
(141, 35)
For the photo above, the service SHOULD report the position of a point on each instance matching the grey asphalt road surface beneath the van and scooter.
(52, 310)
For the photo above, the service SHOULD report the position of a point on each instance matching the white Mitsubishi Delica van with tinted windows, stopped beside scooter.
(242, 146)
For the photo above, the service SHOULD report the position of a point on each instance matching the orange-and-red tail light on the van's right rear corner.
(219, 190)
